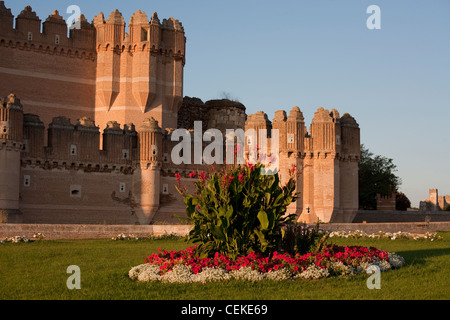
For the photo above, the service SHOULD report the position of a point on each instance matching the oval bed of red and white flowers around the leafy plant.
(185, 266)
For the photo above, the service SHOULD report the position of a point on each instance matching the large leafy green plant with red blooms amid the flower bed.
(238, 211)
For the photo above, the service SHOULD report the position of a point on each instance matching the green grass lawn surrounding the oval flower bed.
(37, 270)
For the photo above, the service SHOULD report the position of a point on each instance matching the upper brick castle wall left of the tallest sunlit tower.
(52, 73)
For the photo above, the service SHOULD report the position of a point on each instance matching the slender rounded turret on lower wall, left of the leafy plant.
(146, 180)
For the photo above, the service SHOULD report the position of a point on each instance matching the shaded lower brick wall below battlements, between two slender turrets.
(72, 195)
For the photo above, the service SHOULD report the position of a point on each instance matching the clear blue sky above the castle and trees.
(273, 55)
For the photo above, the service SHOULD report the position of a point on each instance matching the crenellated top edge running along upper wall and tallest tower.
(102, 34)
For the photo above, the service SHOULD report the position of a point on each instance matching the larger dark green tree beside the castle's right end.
(376, 175)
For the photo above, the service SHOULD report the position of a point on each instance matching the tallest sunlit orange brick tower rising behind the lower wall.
(140, 74)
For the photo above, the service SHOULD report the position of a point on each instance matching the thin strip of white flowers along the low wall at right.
(431, 236)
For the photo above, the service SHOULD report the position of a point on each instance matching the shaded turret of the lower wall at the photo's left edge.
(11, 140)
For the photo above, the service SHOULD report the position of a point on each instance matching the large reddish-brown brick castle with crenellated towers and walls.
(87, 120)
